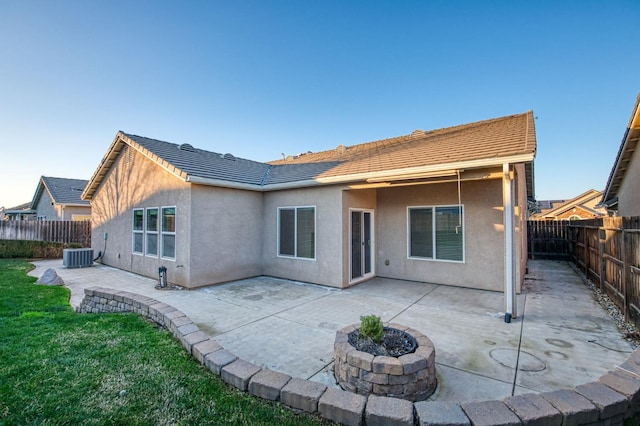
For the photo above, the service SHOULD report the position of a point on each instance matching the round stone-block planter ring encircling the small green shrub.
(411, 376)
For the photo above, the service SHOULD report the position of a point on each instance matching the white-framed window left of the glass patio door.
(297, 232)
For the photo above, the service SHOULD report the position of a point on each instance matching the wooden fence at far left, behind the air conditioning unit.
(47, 230)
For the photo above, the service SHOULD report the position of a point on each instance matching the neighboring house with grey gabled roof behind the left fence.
(59, 199)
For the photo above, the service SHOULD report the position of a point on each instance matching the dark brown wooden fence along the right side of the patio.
(607, 250)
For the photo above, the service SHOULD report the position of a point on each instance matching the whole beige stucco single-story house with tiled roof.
(428, 206)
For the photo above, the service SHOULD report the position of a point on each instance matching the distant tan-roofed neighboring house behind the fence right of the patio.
(584, 206)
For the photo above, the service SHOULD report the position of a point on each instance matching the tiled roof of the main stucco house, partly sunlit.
(480, 144)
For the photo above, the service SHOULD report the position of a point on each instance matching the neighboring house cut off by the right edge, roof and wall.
(621, 195)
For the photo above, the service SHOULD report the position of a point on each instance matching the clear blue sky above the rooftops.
(261, 78)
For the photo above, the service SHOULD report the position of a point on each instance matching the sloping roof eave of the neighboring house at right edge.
(625, 152)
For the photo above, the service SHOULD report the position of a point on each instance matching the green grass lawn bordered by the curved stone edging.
(58, 367)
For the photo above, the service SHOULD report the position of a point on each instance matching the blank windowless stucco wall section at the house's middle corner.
(226, 235)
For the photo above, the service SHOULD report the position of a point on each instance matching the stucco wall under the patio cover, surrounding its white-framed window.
(483, 266)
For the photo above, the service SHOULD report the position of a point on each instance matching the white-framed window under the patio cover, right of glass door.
(436, 233)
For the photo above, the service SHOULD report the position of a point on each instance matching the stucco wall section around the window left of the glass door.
(327, 268)
